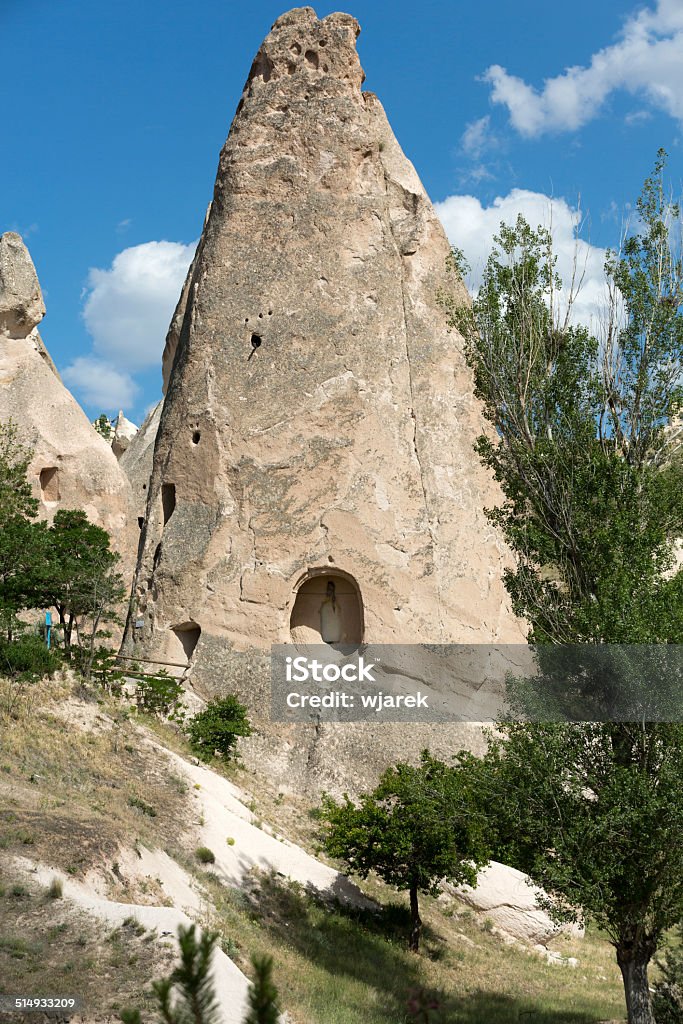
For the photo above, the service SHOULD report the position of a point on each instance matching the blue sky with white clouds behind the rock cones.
(114, 115)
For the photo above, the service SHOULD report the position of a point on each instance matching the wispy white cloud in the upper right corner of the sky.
(647, 61)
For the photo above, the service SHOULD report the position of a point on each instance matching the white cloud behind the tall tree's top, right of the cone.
(472, 228)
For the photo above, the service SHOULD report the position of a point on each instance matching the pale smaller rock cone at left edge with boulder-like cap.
(72, 466)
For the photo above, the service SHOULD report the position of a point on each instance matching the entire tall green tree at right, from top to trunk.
(582, 448)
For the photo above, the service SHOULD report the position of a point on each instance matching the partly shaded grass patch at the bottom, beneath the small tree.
(336, 966)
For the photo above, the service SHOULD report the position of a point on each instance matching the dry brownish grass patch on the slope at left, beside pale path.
(73, 797)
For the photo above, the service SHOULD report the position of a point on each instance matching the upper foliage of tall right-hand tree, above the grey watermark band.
(592, 501)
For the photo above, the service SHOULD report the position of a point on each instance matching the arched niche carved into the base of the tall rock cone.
(328, 609)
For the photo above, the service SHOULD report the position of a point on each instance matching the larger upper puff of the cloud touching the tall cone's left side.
(130, 307)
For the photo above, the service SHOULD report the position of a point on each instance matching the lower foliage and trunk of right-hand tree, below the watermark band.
(593, 814)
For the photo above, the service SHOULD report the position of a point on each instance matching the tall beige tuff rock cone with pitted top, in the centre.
(319, 419)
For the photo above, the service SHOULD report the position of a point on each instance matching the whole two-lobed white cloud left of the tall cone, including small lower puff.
(127, 312)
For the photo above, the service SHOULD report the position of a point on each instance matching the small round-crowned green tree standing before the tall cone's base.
(419, 826)
